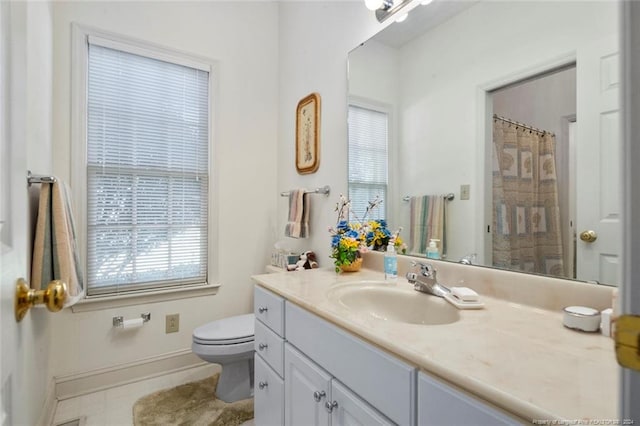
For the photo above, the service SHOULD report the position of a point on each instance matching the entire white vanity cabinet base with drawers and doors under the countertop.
(311, 372)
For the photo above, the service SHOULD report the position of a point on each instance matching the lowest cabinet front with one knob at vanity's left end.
(268, 395)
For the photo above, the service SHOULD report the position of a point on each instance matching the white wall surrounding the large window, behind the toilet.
(243, 38)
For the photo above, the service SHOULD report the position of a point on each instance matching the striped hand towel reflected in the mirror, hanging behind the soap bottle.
(427, 221)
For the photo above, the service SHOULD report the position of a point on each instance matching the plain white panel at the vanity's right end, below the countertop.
(441, 404)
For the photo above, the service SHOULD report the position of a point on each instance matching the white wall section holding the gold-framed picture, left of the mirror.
(315, 38)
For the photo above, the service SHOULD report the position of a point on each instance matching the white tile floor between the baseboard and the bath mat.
(113, 407)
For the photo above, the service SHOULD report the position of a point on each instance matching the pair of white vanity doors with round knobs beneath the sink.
(314, 398)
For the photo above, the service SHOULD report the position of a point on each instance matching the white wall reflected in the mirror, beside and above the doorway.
(444, 72)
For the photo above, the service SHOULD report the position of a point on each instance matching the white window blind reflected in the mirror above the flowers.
(368, 159)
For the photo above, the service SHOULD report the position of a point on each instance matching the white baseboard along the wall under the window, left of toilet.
(77, 384)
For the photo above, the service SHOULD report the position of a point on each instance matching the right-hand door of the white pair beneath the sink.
(348, 409)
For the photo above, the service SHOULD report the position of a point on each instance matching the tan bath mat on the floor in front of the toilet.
(191, 404)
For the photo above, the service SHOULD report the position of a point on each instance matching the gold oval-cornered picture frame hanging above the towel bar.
(308, 134)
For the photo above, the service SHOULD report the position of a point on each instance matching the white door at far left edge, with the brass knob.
(13, 208)
